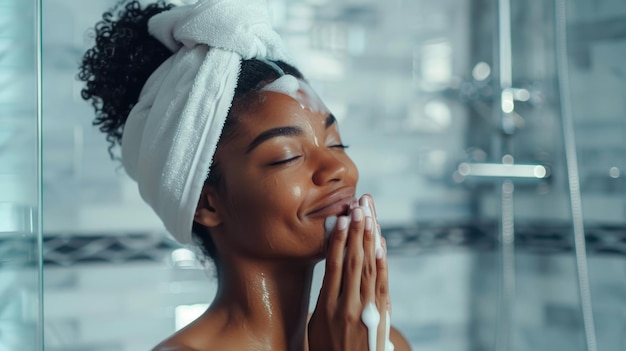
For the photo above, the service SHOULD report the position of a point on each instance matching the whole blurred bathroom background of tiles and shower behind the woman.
(492, 134)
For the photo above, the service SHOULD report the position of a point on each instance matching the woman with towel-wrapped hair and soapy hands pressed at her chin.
(207, 88)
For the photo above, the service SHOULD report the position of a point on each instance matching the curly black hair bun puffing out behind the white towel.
(122, 59)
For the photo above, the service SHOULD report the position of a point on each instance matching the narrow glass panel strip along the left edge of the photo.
(20, 254)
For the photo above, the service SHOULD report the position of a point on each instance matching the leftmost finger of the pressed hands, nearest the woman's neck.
(334, 259)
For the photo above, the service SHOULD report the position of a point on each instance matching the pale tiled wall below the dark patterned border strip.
(441, 301)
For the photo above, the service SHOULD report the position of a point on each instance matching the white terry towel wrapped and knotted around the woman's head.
(171, 134)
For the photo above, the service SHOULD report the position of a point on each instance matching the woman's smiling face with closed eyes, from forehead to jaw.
(285, 171)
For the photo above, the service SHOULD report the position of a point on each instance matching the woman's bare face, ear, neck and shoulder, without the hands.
(284, 171)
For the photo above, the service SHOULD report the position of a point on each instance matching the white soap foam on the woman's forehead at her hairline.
(298, 90)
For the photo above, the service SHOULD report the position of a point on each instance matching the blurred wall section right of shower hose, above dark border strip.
(597, 39)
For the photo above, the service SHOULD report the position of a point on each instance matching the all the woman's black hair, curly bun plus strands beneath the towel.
(118, 65)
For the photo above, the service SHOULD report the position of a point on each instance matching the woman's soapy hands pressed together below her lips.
(355, 276)
